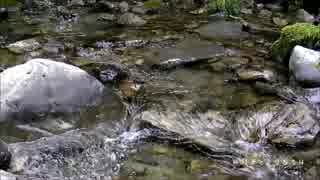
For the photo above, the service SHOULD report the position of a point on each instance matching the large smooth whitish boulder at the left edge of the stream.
(45, 86)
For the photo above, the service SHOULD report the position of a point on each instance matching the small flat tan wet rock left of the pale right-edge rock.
(250, 75)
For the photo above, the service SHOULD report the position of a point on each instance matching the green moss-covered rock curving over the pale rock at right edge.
(304, 34)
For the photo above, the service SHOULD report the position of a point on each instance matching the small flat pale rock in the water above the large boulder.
(24, 46)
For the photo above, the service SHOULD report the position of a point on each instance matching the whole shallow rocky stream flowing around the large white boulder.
(202, 119)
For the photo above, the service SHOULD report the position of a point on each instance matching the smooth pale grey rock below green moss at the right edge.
(304, 65)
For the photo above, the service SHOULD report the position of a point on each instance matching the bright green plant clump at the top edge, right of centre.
(230, 7)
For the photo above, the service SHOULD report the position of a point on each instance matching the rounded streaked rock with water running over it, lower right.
(285, 124)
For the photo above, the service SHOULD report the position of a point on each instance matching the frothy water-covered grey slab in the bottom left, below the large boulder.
(48, 154)
